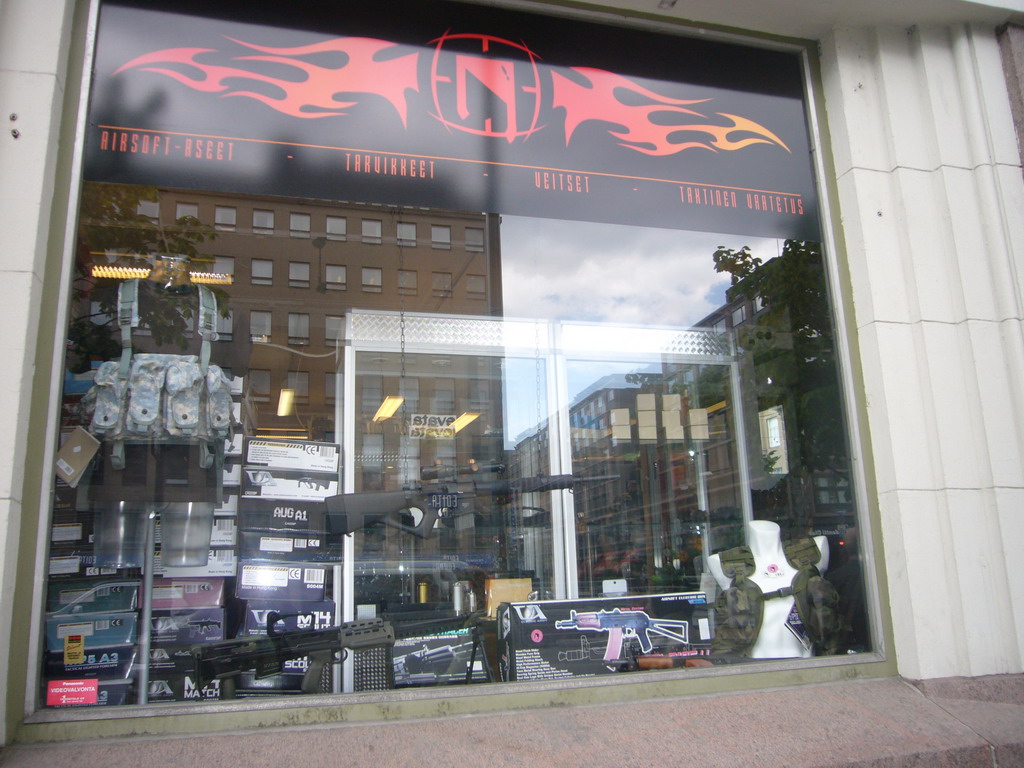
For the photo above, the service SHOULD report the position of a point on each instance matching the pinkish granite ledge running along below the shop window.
(879, 723)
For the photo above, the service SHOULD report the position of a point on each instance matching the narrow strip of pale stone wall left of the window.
(34, 44)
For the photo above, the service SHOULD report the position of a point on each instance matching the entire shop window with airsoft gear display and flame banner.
(609, 439)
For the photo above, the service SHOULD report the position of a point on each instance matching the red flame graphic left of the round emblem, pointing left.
(316, 94)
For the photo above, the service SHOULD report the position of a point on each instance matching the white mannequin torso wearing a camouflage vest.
(773, 572)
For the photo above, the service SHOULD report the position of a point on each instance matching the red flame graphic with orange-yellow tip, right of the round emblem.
(599, 101)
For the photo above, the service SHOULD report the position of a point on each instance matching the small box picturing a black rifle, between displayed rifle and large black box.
(438, 660)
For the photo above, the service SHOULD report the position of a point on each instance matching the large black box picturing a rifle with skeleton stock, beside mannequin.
(554, 639)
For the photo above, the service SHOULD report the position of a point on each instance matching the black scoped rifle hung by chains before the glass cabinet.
(417, 509)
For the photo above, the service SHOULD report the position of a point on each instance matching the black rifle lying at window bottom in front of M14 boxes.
(227, 660)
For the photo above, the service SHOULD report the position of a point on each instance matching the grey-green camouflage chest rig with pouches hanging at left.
(147, 399)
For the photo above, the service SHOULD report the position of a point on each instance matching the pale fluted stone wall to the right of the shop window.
(931, 195)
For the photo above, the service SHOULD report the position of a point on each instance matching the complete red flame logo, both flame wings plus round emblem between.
(652, 123)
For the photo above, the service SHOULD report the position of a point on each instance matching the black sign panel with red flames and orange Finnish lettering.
(458, 107)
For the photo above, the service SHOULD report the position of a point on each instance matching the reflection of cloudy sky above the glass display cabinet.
(614, 274)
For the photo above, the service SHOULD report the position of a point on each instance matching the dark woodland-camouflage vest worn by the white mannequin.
(740, 610)
